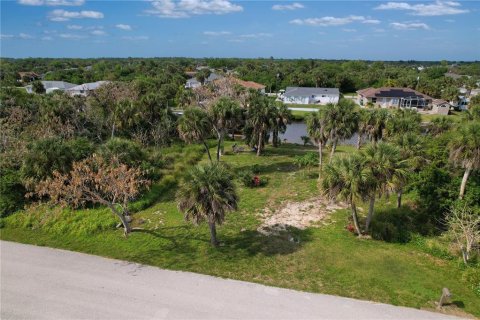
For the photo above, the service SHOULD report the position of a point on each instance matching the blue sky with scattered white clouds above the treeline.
(379, 30)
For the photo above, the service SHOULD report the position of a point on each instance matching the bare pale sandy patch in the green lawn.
(299, 215)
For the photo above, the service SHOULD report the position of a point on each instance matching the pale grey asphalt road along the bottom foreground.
(44, 283)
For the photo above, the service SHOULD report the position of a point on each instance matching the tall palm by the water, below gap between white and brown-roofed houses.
(341, 122)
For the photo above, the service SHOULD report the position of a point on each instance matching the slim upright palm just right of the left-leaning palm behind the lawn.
(224, 114)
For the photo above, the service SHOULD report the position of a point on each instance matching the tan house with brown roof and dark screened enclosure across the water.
(393, 98)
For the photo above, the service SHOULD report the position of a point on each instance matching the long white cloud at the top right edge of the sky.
(438, 8)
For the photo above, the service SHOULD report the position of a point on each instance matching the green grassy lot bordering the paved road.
(327, 259)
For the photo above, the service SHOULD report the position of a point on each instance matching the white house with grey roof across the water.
(305, 95)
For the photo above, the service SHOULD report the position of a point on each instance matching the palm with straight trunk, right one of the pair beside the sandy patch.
(385, 166)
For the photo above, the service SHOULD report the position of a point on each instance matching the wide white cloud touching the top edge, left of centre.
(187, 8)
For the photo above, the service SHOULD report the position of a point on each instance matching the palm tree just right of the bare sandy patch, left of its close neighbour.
(346, 178)
